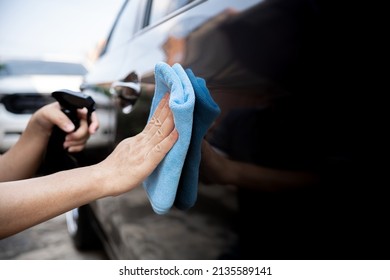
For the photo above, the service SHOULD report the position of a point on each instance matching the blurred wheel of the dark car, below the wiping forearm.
(79, 226)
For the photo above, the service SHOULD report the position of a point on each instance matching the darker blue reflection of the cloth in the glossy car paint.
(205, 113)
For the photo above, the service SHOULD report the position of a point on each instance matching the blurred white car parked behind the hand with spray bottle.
(27, 84)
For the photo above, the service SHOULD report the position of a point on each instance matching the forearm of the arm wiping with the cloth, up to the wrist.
(26, 203)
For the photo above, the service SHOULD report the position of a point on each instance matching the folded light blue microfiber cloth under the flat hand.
(161, 185)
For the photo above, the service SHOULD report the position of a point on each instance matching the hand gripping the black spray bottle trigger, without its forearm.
(51, 115)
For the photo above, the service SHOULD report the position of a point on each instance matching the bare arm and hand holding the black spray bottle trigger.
(25, 157)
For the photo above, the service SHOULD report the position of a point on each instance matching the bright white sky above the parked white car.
(54, 27)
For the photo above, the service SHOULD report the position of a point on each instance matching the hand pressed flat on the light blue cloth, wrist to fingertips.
(136, 157)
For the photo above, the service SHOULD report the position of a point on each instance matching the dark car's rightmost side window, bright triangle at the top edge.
(162, 8)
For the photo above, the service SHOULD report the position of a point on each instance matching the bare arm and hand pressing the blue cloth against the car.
(28, 202)
